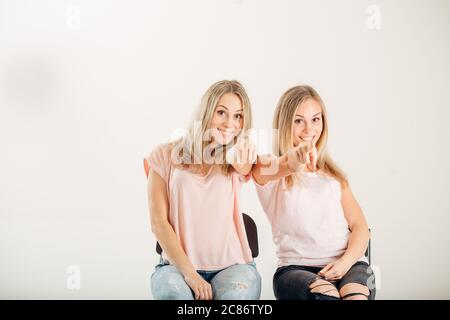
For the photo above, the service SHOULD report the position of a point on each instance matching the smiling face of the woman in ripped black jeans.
(307, 122)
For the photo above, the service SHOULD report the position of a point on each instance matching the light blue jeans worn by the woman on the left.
(237, 282)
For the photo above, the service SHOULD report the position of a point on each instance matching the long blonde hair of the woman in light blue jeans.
(188, 152)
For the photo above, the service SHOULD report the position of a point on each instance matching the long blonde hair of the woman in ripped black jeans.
(283, 121)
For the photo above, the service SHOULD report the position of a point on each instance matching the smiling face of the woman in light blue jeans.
(227, 118)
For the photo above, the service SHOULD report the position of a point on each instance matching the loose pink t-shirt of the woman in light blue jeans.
(204, 211)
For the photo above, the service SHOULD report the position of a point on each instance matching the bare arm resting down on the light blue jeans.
(164, 233)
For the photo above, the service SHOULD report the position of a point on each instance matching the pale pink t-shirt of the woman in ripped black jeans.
(308, 223)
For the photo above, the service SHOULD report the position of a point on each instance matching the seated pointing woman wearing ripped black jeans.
(318, 227)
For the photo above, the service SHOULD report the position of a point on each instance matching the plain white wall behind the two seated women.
(88, 88)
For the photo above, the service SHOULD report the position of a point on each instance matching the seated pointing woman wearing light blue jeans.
(194, 200)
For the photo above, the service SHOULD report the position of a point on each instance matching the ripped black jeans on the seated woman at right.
(293, 282)
